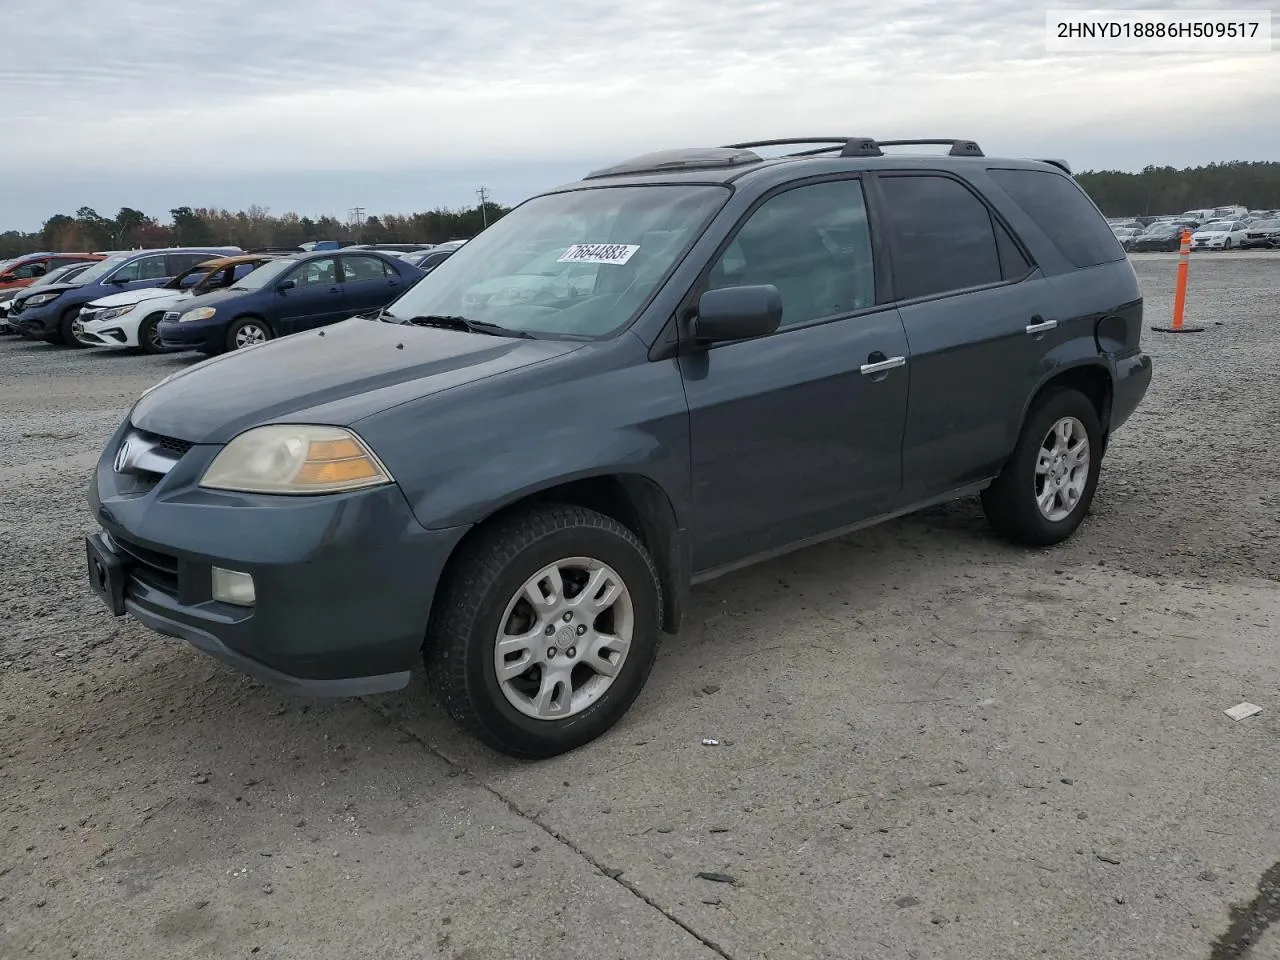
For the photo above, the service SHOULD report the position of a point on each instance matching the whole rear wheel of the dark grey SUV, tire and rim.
(1046, 488)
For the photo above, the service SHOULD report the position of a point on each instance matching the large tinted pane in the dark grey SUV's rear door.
(944, 237)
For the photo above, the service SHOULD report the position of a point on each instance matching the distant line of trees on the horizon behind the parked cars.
(1154, 190)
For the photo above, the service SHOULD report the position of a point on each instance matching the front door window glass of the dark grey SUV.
(811, 243)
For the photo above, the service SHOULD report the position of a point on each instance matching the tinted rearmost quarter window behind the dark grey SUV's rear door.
(1066, 213)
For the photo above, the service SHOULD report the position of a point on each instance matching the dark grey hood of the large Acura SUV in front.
(336, 376)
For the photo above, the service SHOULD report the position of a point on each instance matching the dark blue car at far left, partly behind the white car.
(47, 313)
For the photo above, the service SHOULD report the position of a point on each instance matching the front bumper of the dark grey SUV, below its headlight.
(344, 584)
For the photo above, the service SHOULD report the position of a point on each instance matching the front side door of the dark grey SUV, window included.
(798, 433)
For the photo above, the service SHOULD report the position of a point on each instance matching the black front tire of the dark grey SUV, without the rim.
(473, 600)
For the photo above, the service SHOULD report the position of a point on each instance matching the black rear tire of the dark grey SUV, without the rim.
(1011, 504)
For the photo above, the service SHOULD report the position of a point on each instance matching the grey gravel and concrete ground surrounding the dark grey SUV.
(932, 746)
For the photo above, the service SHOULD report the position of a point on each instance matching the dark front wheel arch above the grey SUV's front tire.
(637, 502)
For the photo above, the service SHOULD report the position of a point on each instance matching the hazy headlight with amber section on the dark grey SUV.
(295, 460)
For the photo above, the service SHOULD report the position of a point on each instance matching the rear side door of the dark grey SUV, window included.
(975, 310)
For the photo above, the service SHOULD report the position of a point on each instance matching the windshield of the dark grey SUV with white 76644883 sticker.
(577, 264)
